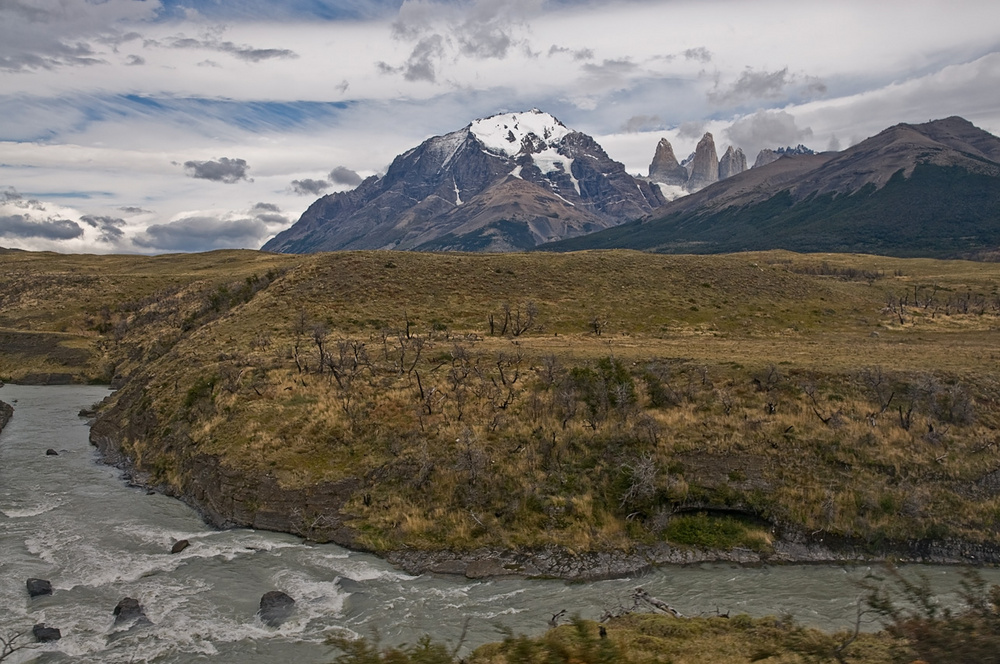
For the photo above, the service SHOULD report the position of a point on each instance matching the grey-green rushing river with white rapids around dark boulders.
(73, 521)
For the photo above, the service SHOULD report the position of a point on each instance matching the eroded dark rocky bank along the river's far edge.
(225, 499)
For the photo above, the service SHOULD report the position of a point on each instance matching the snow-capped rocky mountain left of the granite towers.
(503, 183)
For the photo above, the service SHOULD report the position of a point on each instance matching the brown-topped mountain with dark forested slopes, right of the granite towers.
(929, 189)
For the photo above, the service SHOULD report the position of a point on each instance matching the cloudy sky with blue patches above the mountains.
(159, 126)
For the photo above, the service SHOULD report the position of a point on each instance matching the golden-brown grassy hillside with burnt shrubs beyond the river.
(640, 405)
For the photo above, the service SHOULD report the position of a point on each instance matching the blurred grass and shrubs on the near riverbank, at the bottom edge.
(915, 628)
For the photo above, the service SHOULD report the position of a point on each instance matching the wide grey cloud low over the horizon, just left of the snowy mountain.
(203, 234)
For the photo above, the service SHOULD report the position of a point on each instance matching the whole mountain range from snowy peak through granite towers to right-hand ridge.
(519, 181)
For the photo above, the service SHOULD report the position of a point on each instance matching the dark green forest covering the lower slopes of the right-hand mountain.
(906, 217)
